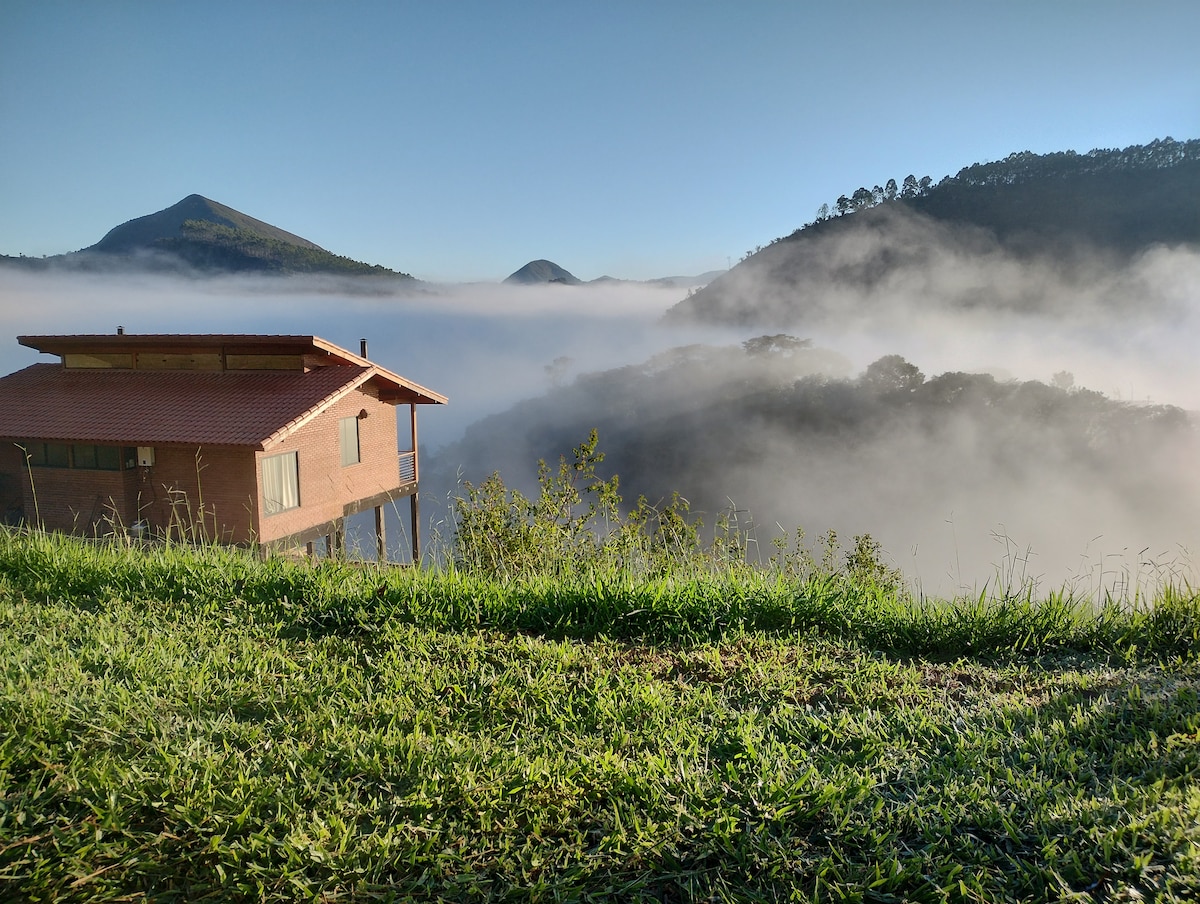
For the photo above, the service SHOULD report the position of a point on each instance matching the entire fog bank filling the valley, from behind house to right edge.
(1082, 477)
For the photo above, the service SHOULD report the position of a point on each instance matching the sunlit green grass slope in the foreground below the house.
(200, 726)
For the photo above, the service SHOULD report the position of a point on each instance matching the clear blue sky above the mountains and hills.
(459, 141)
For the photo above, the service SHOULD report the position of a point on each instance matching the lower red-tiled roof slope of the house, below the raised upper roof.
(121, 408)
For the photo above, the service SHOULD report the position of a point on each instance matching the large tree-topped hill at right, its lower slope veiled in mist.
(1063, 211)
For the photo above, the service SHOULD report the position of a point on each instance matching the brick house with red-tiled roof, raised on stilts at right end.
(261, 441)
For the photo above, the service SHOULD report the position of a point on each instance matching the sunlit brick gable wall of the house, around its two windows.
(326, 487)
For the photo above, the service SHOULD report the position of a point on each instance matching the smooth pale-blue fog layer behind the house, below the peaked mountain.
(485, 346)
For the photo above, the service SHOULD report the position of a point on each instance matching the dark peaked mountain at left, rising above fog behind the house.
(199, 235)
